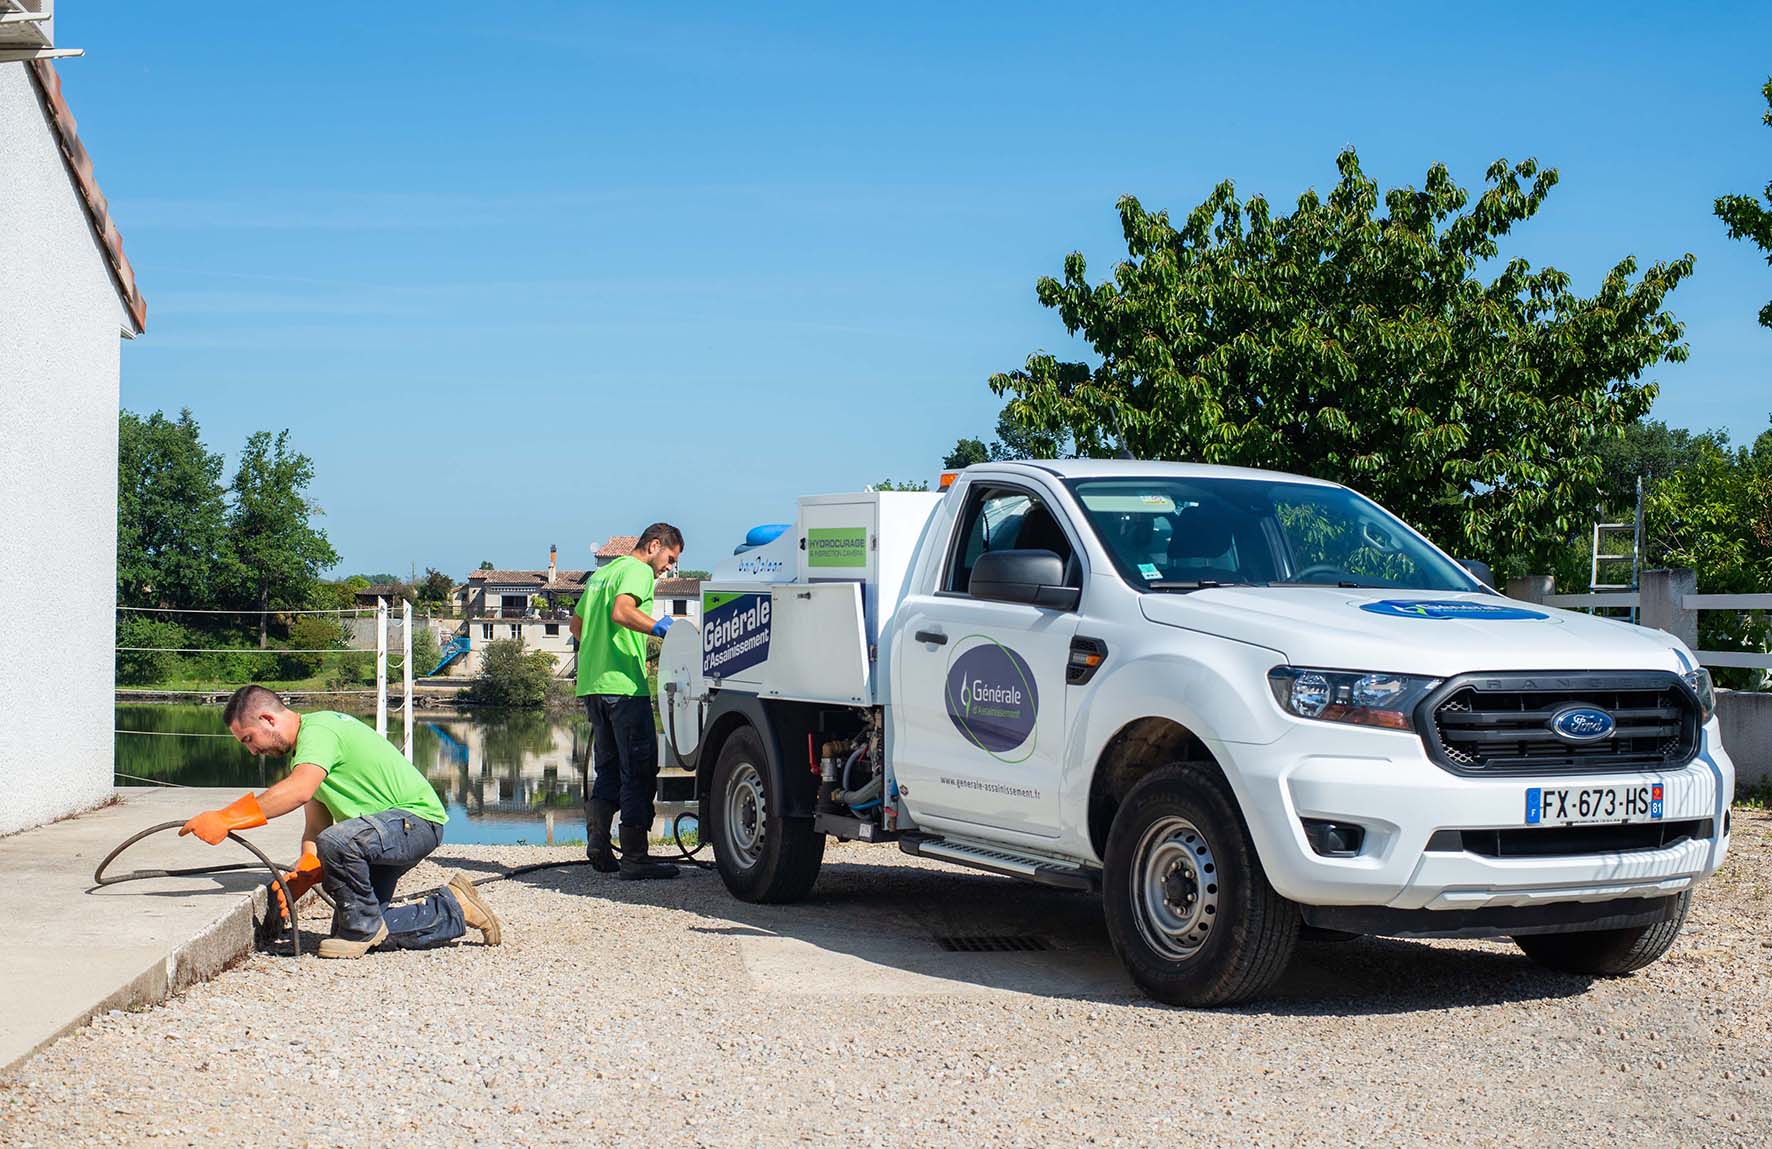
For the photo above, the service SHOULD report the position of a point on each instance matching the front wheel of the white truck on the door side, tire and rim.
(1190, 909)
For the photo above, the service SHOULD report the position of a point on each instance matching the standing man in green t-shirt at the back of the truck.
(612, 623)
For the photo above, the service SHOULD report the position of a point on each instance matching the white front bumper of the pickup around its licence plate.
(1385, 783)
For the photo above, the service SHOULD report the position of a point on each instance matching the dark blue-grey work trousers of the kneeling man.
(364, 859)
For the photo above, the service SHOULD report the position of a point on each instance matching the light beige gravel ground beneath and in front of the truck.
(621, 1013)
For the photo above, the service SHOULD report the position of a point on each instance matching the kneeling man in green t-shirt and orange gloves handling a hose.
(371, 818)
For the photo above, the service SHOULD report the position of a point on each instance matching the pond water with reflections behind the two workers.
(502, 776)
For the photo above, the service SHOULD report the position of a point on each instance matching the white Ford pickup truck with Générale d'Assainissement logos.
(1241, 707)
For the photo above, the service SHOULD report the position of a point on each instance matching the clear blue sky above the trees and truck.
(543, 274)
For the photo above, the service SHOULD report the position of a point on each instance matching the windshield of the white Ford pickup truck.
(1186, 535)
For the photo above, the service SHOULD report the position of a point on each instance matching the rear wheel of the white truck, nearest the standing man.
(761, 856)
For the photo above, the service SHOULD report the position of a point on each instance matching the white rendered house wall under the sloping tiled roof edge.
(61, 322)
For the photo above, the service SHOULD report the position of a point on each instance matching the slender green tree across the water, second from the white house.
(277, 549)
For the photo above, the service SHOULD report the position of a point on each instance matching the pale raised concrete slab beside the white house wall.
(74, 950)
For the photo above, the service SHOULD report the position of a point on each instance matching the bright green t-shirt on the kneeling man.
(366, 774)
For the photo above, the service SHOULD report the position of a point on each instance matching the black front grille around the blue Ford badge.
(1500, 724)
